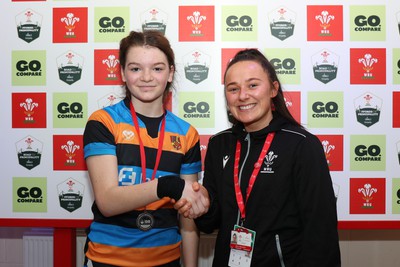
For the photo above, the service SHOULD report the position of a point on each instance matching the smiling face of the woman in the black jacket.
(249, 93)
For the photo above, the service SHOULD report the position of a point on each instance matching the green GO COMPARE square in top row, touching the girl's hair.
(111, 24)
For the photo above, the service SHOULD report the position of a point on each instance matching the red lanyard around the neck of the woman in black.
(257, 166)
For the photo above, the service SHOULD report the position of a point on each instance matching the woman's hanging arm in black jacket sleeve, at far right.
(317, 205)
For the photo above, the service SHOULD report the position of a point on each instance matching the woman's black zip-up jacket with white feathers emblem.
(292, 206)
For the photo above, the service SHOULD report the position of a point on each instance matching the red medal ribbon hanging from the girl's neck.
(142, 152)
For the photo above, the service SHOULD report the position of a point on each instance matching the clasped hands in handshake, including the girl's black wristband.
(191, 199)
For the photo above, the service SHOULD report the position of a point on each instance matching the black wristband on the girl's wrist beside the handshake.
(170, 186)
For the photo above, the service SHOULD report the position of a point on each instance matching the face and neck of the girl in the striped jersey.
(146, 74)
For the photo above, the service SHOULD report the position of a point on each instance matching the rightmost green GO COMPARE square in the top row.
(367, 23)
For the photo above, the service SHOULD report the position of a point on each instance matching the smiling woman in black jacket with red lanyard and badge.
(268, 178)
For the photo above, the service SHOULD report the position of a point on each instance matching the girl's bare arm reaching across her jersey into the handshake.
(113, 199)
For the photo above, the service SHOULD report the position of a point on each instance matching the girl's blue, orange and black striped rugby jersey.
(117, 240)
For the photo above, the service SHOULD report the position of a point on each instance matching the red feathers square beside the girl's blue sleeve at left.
(68, 153)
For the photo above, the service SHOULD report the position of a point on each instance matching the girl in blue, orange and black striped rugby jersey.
(141, 158)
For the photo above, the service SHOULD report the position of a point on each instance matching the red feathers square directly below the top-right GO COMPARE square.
(367, 66)
